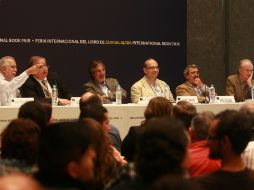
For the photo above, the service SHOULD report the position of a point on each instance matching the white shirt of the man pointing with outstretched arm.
(9, 89)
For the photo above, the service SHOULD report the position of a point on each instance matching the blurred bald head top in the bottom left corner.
(18, 181)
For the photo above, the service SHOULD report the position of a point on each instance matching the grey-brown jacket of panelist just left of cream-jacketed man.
(111, 83)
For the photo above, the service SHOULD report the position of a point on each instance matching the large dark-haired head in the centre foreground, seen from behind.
(162, 149)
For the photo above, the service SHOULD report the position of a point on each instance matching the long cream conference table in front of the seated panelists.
(122, 116)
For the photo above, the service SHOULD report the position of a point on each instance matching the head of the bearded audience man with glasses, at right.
(229, 133)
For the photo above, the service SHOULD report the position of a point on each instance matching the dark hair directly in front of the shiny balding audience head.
(94, 111)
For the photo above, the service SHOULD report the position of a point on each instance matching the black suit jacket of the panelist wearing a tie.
(32, 88)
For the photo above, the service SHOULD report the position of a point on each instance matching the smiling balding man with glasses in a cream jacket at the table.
(149, 85)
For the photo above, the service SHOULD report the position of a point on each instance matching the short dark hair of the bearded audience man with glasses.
(236, 126)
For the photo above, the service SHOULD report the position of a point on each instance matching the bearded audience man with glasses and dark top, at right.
(229, 135)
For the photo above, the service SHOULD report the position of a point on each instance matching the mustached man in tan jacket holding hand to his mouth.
(193, 85)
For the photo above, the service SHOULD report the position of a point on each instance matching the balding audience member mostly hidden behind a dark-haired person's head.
(90, 98)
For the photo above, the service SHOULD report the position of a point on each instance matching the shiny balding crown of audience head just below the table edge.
(89, 98)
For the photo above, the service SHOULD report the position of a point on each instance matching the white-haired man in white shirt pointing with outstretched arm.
(9, 84)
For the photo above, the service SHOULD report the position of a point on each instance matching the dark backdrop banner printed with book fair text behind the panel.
(122, 33)
